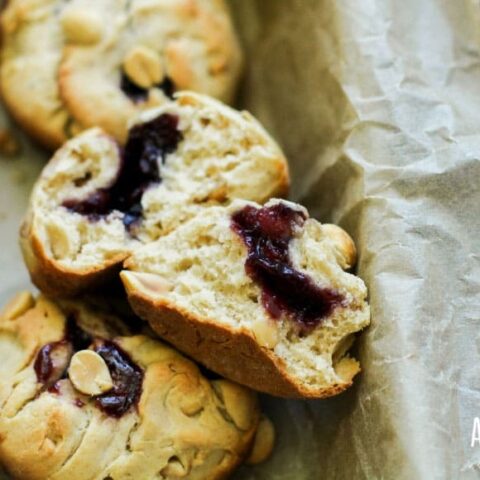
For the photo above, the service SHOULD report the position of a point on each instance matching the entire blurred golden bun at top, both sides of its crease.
(71, 65)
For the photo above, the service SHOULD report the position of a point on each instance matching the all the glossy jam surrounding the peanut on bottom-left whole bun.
(126, 375)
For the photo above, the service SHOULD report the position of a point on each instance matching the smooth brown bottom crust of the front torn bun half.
(233, 354)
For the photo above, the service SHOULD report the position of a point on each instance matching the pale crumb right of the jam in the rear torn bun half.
(224, 155)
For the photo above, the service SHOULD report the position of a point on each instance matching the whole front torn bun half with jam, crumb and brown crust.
(259, 294)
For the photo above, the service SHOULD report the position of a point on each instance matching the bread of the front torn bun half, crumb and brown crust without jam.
(197, 274)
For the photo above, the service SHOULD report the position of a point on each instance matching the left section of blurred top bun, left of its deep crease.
(32, 42)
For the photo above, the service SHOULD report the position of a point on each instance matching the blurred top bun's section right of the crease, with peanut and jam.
(145, 52)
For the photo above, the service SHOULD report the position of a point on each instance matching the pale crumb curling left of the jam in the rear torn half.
(85, 164)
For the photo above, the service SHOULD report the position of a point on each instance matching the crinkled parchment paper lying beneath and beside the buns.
(377, 105)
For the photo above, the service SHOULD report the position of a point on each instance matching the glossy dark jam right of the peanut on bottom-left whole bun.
(127, 380)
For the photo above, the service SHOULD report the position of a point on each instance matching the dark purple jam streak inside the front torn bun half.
(267, 233)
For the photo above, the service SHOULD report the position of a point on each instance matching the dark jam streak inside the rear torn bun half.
(146, 144)
